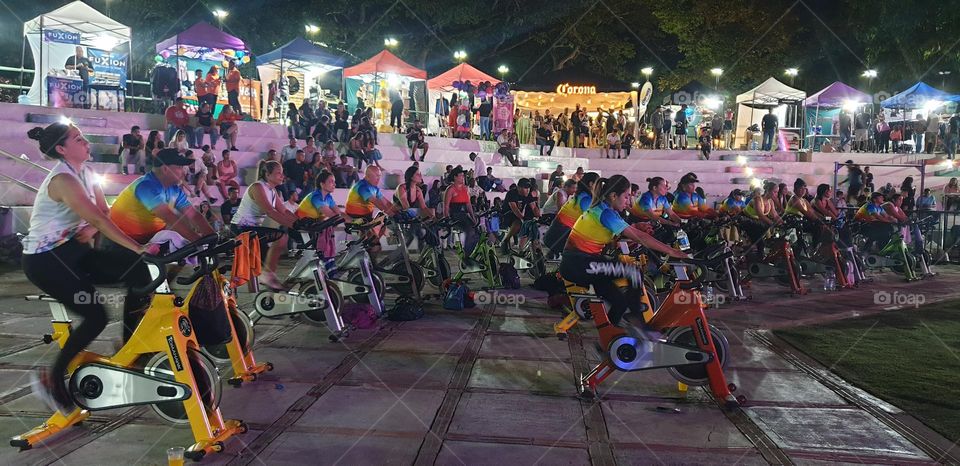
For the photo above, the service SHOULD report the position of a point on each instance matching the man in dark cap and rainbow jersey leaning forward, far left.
(154, 210)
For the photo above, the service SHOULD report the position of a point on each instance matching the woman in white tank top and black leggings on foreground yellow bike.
(58, 255)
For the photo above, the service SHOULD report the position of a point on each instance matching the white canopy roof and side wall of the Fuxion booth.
(54, 37)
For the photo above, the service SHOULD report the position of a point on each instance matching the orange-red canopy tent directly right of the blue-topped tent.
(385, 74)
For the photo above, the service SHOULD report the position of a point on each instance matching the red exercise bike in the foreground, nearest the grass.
(693, 351)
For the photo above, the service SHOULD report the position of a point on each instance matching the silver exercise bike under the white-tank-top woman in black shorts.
(312, 294)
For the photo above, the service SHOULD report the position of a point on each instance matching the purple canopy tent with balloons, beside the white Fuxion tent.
(201, 47)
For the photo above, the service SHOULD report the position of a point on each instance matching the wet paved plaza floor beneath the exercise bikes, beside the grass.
(493, 385)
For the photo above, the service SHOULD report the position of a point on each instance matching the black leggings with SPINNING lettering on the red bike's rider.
(575, 266)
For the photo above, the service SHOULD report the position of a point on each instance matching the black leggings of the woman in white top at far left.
(68, 274)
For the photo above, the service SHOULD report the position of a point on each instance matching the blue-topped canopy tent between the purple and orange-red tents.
(303, 64)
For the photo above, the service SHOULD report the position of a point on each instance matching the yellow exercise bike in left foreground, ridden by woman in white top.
(178, 381)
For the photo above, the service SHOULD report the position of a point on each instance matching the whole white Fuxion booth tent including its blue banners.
(57, 36)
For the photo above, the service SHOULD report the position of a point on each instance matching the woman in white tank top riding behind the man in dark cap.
(259, 203)
